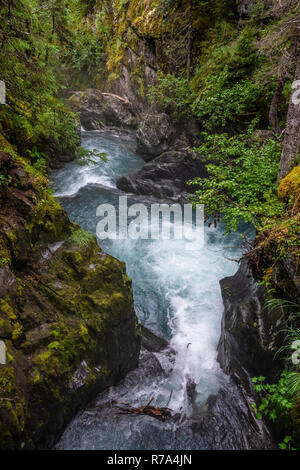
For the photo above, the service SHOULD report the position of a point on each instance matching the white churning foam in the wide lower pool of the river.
(185, 285)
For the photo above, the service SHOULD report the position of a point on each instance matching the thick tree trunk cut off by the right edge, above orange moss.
(291, 144)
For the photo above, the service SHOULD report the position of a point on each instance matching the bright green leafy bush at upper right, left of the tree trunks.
(225, 83)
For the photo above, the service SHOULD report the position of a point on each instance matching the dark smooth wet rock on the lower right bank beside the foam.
(250, 332)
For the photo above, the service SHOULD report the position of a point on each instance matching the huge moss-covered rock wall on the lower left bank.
(66, 313)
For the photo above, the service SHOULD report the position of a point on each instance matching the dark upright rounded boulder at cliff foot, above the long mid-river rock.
(154, 135)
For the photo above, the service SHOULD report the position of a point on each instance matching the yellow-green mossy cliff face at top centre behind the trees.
(141, 38)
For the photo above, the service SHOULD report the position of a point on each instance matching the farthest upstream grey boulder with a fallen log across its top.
(98, 110)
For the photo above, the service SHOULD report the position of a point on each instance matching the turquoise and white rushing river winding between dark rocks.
(176, 292)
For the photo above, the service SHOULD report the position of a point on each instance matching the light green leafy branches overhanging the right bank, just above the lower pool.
(241, 182)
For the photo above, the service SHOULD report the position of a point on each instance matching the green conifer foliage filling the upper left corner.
(40, 49)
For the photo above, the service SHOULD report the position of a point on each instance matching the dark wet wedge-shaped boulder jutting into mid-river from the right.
(166, 176)
